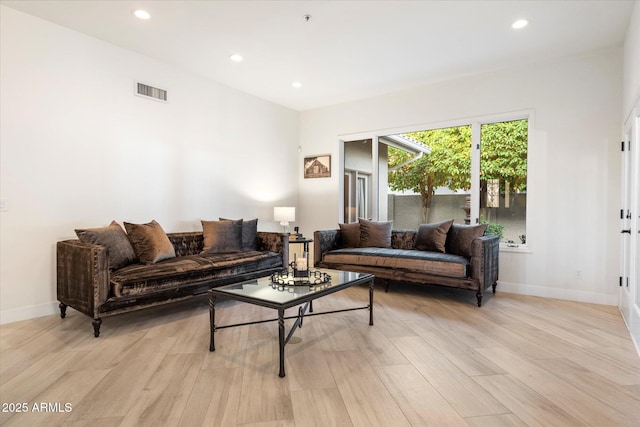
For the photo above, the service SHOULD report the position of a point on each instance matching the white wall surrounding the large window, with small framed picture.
(574, 163)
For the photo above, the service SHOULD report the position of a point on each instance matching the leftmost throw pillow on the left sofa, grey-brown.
(114, 239)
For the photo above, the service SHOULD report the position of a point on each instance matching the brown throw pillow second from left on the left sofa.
(150, 242)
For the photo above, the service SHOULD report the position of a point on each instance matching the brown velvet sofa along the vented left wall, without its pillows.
(86, 282)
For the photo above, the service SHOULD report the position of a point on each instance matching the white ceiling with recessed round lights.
(348, 49)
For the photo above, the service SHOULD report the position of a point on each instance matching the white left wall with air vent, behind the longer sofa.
(78, 149)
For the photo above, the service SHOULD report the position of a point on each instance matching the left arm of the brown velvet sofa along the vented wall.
(82, 271)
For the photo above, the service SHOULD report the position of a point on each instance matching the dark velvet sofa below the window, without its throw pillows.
(402, 261)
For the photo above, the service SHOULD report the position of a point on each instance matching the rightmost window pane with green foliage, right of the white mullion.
(503, 179)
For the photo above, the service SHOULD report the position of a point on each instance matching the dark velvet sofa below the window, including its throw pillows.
(444, 253)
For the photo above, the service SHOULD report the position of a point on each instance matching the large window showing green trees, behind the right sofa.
(473, 173)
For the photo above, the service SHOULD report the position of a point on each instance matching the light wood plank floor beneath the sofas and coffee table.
(432, 358)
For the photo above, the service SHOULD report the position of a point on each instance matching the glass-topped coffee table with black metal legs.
(279, 295)
